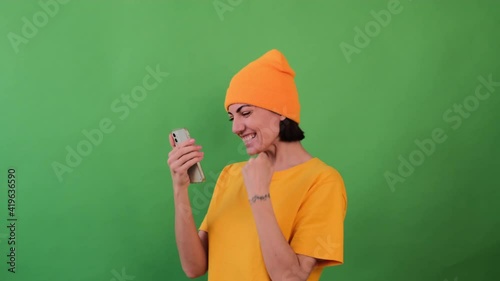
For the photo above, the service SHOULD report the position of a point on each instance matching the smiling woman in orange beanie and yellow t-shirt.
(277, 216)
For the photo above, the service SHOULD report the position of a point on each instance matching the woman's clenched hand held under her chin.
(257, 175)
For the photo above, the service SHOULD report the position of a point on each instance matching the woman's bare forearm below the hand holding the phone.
(191, 251)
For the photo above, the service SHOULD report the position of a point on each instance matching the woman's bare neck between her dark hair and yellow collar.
(289, 154)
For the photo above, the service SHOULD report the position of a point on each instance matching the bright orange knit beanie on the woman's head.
(267, 82)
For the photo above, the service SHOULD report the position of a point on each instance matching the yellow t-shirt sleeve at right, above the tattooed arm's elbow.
(318, 229)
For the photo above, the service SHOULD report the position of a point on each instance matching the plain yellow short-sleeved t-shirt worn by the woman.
(309, 202)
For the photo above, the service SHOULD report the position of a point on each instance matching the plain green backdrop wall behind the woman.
(114, 210)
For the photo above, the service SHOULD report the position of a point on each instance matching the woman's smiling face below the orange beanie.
(257, 127)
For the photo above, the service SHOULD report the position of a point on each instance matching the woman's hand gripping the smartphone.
(180, 159)
